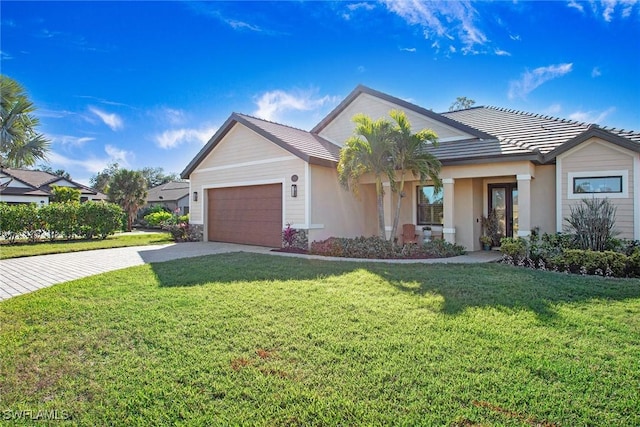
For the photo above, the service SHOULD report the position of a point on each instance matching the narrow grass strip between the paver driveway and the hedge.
(116, 241)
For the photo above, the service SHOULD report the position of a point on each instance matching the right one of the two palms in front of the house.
(409, 155)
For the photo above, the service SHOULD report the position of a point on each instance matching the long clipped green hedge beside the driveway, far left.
(59, 221)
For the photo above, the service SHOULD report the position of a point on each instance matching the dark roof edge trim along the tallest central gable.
(360, 89)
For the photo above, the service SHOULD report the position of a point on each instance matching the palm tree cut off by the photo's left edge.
(20, 144)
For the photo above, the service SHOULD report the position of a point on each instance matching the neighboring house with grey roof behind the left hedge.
(27, 186)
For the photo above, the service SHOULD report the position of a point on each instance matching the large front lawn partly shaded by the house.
(247, 339)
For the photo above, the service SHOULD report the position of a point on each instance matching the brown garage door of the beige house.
(250, 215)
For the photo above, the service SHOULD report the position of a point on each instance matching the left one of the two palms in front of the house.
(367, 151)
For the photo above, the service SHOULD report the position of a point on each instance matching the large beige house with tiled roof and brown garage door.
(253, 176)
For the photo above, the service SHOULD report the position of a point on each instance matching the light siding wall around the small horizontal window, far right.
(598, 156)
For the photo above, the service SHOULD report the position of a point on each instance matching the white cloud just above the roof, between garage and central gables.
(271, 105)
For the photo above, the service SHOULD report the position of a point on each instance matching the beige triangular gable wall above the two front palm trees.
(342, 126)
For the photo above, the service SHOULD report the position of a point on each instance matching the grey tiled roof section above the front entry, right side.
(537, 133)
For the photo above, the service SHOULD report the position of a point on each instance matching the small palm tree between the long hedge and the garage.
(129, 190)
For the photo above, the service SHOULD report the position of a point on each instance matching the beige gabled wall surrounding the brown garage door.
(245, 158)
